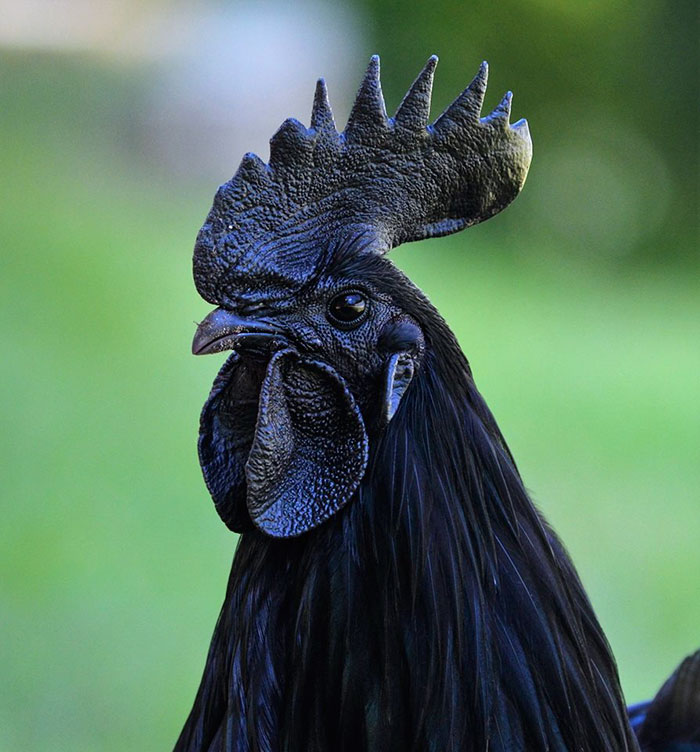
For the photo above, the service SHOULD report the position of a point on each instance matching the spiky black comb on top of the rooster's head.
(384, 180)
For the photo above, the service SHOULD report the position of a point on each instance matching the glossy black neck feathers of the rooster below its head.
(438, 611)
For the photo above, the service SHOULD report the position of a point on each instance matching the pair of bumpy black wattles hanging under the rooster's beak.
(287, 438)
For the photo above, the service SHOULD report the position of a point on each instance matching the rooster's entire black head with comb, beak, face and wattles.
(323, 329)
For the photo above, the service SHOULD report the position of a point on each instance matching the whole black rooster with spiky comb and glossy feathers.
(394, 588)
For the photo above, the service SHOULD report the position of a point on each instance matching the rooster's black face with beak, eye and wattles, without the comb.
(284, 435)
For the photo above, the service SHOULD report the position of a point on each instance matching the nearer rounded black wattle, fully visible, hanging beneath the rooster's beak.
(310, 448)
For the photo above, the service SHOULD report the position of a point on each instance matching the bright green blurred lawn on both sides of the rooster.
(113, 560)
